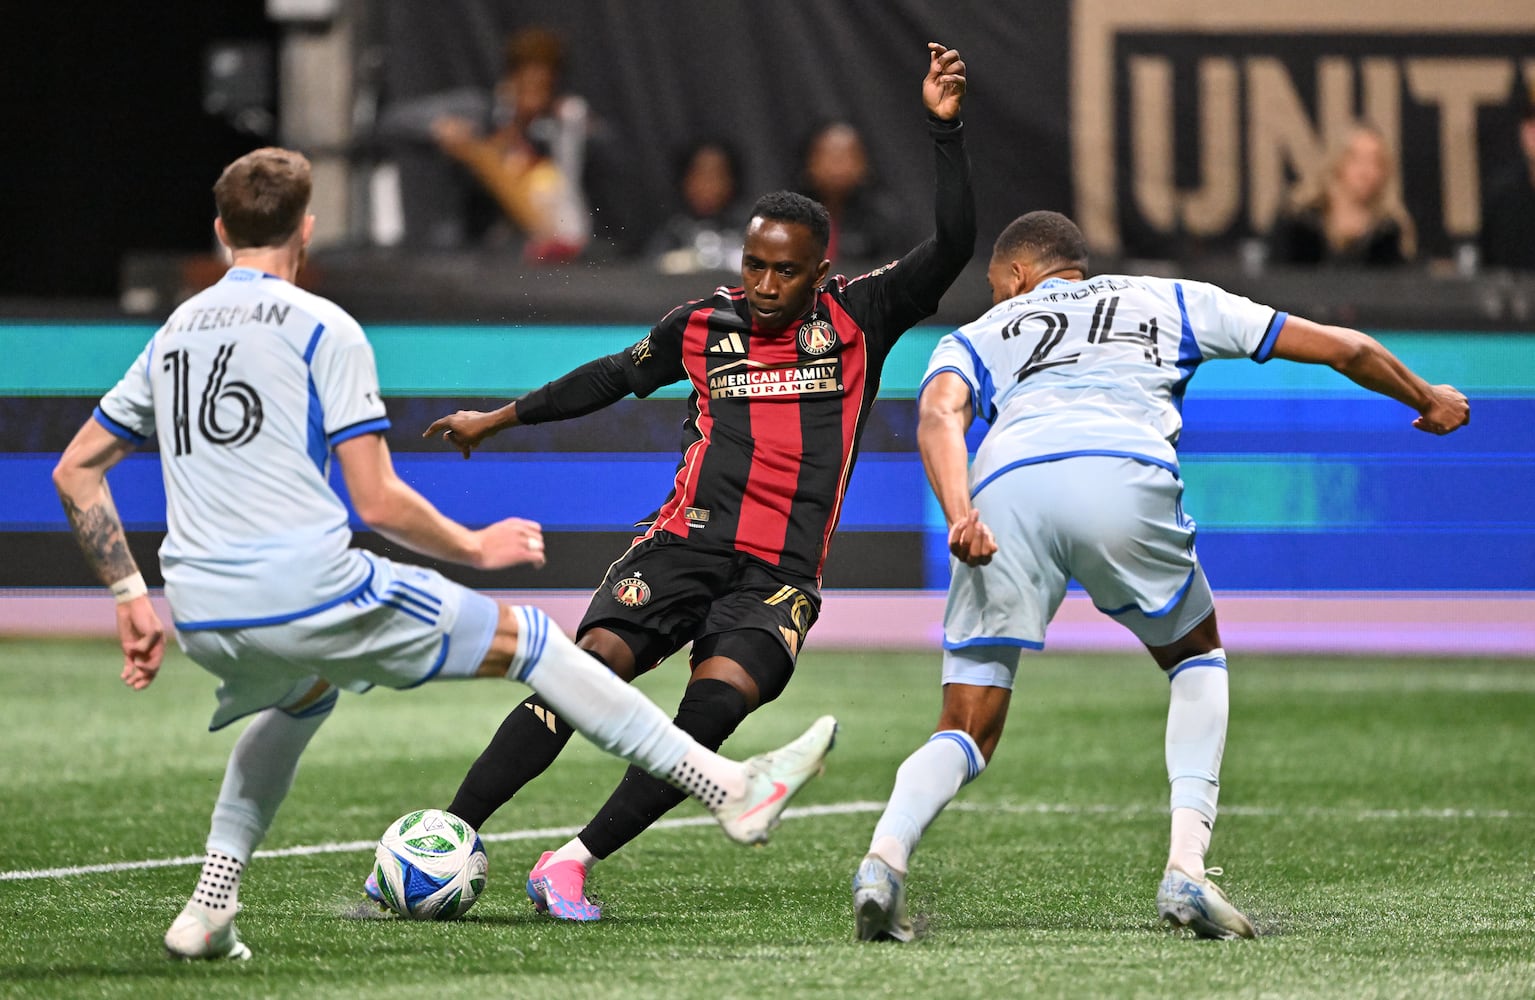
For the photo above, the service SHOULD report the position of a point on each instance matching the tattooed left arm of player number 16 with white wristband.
(81, 480)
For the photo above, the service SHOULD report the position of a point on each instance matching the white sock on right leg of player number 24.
(1197, 738)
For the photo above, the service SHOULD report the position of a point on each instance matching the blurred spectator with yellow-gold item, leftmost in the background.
(527, 147)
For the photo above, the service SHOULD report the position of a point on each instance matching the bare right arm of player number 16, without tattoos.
(400, 514)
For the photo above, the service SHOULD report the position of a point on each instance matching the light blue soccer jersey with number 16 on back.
(248, 388)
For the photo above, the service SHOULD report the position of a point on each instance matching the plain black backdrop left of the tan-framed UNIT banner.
(662, 73)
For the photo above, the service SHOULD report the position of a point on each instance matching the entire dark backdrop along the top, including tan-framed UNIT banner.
(1169, 130)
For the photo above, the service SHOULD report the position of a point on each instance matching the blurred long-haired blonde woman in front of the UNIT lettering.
(1350, 211)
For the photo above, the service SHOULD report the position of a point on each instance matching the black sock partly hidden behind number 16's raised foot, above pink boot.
(710, 712)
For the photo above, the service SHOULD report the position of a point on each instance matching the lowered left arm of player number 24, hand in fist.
(943, 417)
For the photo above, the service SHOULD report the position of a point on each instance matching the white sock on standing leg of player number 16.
(259, 776)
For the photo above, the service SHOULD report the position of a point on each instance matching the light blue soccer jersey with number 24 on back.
(1095, 368)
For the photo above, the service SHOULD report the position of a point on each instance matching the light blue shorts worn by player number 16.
(406, 629)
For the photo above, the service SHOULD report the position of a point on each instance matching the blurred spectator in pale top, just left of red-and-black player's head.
(705, 234)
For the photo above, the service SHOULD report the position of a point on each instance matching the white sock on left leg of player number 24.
(925, 784)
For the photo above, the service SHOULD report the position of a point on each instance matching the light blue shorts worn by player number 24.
(1114, 525)
